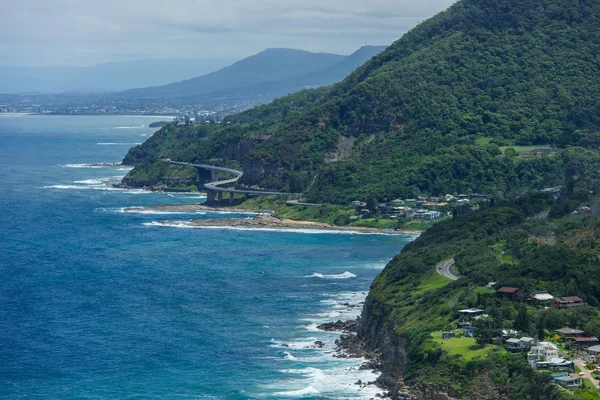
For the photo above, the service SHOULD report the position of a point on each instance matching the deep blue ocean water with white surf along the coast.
(97, 303)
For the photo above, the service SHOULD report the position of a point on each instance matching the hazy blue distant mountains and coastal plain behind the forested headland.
(246, 83)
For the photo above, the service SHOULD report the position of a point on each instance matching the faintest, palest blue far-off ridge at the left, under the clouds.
(113, 76)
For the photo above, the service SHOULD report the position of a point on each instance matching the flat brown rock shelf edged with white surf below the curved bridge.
(264, 220)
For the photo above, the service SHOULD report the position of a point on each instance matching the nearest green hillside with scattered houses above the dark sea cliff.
(410, 304)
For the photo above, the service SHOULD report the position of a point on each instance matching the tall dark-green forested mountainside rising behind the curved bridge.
(444, 109)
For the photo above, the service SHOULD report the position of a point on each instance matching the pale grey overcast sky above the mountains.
(84, 32)
